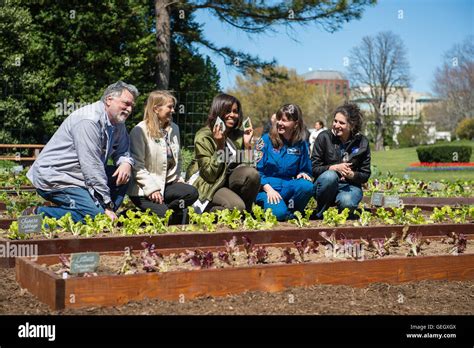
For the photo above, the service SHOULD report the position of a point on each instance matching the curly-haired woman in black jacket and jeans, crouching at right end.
(341, 161)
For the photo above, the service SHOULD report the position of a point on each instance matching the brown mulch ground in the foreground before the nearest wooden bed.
(426, 297)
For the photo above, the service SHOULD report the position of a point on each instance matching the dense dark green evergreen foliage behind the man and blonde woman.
(69, 53)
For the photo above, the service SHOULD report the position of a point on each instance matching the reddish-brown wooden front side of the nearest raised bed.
(119, 289)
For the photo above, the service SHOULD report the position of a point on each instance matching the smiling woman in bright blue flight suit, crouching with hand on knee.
(283, 162)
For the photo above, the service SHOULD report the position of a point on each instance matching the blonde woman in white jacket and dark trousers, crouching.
(154, 145)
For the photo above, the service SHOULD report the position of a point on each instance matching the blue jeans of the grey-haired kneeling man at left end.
(78, 201)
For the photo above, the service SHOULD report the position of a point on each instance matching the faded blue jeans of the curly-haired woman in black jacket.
(329, 190)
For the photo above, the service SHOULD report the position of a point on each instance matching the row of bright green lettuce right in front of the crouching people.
(138, 223)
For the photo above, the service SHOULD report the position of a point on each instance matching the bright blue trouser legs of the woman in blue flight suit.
(296, 194)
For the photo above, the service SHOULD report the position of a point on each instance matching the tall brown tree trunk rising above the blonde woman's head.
(163, 43)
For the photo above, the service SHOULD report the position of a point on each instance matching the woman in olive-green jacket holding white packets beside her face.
(223, 180)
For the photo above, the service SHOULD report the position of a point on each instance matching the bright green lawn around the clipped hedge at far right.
(396, 161)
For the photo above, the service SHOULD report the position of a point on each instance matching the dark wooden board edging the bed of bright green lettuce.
(213, 239)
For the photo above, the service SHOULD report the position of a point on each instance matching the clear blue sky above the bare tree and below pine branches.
(428, 29)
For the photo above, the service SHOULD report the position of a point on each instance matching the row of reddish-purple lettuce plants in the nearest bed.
(151, 260)
